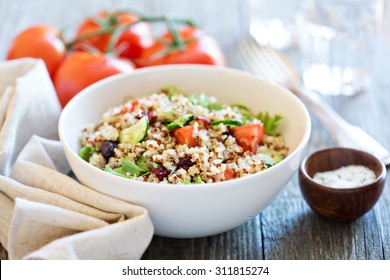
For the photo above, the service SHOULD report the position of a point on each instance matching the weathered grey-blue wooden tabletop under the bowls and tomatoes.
(287, 229)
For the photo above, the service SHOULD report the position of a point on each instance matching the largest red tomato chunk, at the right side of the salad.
(249, 136)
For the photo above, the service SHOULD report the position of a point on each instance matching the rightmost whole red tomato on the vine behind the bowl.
(199, 48)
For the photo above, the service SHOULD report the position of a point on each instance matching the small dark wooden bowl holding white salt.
(341, 204)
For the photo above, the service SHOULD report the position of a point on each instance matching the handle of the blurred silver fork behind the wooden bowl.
(342, 132)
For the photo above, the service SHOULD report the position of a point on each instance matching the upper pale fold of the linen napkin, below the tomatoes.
(27, 107)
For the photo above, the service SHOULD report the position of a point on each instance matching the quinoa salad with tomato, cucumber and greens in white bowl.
(173, 137)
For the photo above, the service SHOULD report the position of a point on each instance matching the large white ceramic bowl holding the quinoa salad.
(187, 211)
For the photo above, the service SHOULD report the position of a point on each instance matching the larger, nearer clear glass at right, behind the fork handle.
(337, 41)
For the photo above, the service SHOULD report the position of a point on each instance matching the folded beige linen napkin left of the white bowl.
(45, 214)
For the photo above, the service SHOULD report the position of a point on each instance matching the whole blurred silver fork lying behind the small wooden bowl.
(271, 65)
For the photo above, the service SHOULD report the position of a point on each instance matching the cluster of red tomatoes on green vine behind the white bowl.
(76, 64)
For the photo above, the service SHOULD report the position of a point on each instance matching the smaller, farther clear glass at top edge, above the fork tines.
(272, 22)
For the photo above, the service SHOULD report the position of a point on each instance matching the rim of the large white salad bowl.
(141, 184)
